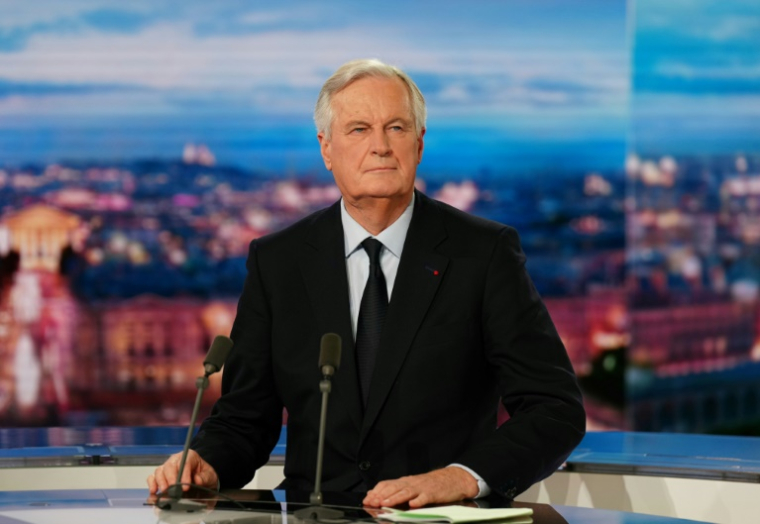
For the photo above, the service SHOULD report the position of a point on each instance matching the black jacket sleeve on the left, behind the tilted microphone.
(245, 423)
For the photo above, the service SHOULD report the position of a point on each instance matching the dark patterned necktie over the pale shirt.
(371, 316)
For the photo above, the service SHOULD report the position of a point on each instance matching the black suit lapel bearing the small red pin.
(420, 272)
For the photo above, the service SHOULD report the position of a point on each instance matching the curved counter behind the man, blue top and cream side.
(700, 477)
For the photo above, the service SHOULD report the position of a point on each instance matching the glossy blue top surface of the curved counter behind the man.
(612, 452)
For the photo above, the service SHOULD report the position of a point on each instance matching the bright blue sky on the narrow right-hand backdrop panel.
(696, 77)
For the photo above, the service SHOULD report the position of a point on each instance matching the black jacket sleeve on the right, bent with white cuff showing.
(535, 378)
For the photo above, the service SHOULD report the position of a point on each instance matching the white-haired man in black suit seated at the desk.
(439, 320)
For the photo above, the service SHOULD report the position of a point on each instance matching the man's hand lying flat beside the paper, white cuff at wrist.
(440, 486)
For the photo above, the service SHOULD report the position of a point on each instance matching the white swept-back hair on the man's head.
(362, 68)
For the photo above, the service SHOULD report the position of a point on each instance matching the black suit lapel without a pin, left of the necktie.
(323, 267)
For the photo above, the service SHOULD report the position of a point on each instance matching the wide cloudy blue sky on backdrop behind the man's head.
(514, 85)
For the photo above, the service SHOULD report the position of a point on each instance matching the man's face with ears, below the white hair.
(373, 150)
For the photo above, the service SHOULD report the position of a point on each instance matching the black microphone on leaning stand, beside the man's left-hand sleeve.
(213, 362)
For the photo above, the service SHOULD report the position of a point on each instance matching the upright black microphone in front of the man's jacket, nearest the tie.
(329, 362)
